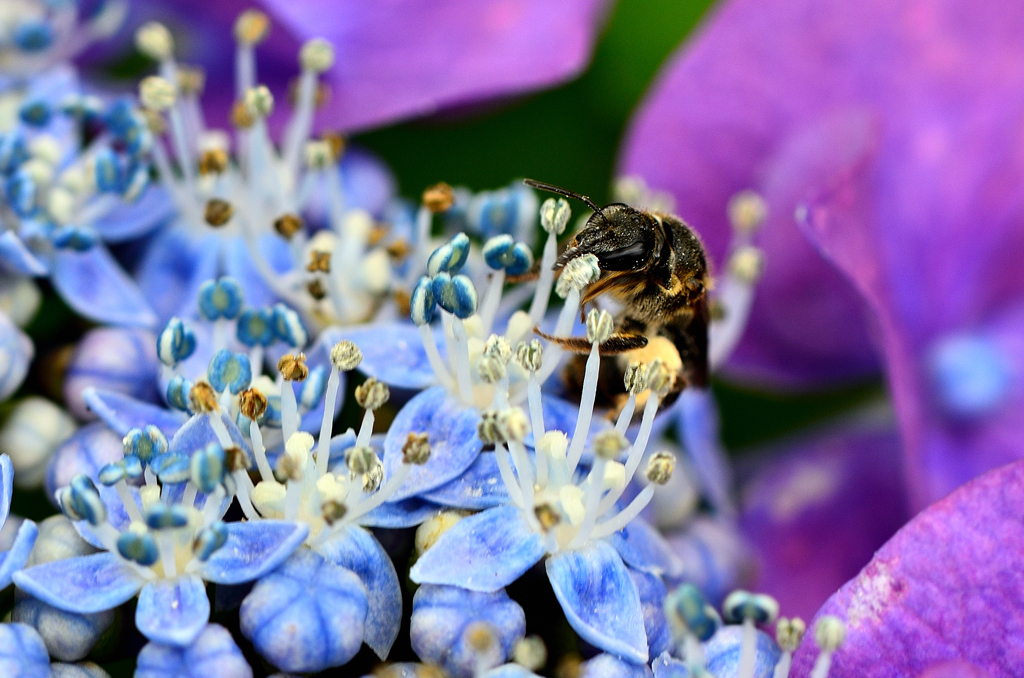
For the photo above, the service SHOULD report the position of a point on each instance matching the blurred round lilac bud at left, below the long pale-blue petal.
(122, 361)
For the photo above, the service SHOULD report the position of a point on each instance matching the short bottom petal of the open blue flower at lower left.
(173, 612)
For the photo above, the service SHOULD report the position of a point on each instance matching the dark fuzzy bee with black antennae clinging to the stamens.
(655, 267)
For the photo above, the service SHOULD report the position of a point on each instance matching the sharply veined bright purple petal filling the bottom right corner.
(947, 587)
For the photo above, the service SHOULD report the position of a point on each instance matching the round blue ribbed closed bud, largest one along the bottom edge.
(308, 616)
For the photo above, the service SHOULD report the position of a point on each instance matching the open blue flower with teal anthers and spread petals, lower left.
(160, 548)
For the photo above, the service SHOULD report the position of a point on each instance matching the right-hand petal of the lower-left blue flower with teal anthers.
(253, 549)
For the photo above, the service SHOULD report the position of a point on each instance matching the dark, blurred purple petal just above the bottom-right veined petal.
(818, 512)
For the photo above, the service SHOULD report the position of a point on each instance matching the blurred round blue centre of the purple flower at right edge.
(971, 375)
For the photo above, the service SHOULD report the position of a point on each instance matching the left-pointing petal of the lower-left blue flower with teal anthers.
(86, 584)
